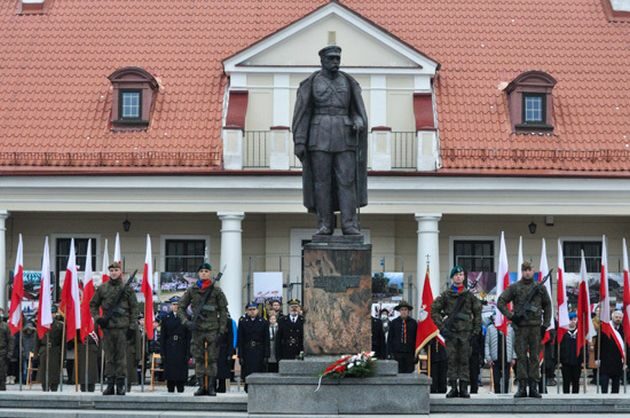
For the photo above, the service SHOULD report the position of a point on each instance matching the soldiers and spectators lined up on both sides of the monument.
(199, 332)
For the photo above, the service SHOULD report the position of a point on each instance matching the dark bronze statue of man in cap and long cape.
(330, 136)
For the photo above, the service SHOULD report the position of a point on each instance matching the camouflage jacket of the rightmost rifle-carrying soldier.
(516, 293)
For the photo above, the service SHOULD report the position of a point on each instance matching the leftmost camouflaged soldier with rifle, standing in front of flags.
(121, 325)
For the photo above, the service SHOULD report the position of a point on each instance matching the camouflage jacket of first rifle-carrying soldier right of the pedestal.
(467, 320)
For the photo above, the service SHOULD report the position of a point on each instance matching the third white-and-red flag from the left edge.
(70, 300)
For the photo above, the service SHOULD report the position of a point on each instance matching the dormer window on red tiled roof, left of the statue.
(133, 99)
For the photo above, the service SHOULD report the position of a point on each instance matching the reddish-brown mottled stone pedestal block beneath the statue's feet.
(337, 295)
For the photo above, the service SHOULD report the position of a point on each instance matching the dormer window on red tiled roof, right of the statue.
(530, 102)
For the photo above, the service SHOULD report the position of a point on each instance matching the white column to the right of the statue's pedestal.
(428, 244)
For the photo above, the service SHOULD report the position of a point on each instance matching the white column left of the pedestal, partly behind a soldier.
(232, 260)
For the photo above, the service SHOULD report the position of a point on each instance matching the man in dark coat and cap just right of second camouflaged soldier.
(253, 342)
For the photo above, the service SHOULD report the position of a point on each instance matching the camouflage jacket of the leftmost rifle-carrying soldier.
(125, 315)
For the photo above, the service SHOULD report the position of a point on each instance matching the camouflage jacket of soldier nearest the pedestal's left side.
(213, 315)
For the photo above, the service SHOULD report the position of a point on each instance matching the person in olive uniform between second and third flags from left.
(50, 357)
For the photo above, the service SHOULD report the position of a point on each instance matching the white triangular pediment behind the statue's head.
(364, 45)
